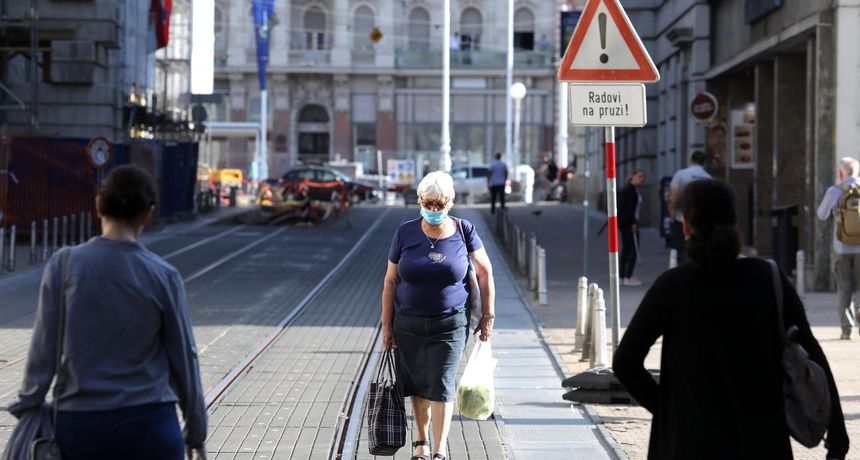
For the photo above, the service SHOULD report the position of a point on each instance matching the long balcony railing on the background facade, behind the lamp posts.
(473, 59)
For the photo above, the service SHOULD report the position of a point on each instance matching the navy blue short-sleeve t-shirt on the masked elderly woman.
(431, 280)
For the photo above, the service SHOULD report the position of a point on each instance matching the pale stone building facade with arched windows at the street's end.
(334, 93)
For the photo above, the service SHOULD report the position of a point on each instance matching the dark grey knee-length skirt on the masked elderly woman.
(428, 354)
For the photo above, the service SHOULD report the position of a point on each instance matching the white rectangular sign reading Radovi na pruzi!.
(607, 104)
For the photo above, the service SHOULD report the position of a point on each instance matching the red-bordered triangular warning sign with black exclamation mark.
(605, 47)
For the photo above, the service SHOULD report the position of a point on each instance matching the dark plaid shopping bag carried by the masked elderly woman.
(386, 412)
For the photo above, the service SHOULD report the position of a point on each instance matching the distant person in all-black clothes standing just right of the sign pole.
(629, 204)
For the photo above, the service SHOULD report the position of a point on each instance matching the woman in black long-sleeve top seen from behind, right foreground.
(720, 390)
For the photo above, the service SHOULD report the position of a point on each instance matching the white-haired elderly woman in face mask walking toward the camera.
(424, 312)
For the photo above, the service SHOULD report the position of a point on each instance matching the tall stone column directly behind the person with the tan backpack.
(825, 148)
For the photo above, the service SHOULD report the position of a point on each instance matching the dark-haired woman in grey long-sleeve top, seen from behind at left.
(128, 354)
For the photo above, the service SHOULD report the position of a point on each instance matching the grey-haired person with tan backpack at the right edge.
(842, 202)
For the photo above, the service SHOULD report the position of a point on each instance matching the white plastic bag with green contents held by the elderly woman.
(476, 393)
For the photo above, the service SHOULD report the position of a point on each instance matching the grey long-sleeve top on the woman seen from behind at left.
(128, 338)
